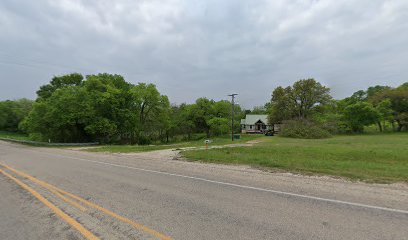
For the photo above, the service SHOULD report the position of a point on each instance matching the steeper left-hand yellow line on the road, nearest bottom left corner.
(86, 233)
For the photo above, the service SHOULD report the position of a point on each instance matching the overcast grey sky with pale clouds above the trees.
(195, 48)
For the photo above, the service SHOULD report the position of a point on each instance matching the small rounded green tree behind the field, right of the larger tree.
(359, 115)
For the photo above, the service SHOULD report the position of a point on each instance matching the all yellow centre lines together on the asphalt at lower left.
(67, 197)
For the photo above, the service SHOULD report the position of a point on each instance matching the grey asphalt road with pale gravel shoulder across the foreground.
(161, 197)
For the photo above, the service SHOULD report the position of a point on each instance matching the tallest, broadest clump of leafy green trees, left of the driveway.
(104, 108)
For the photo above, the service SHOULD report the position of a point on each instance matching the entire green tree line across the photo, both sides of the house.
(107, 109)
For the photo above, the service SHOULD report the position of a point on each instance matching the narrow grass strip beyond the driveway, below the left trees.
(196, 143)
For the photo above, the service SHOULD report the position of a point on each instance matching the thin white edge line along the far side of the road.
(240, 186)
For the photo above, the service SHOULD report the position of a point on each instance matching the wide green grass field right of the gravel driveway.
(372, 157)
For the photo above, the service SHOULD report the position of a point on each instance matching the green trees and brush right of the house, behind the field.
(307, 107)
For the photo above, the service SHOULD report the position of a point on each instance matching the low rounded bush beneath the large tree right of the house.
(303, 129)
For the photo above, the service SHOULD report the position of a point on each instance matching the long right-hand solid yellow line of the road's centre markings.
(106, 211)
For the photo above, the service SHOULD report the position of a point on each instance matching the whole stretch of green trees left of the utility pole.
(106, 108)
